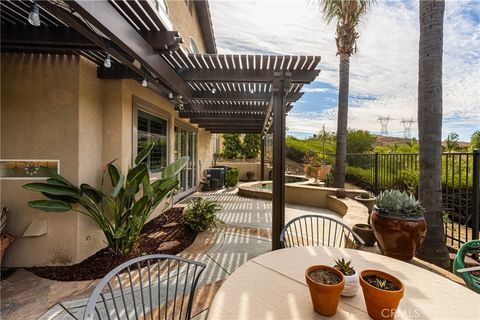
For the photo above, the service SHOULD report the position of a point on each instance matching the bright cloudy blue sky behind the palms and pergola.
(383, 73)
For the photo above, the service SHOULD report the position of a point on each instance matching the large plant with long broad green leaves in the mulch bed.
(120, 213)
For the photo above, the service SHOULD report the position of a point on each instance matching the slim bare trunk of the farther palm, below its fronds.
(342, 123)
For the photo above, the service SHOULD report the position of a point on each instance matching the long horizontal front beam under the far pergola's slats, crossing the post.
(244, 75)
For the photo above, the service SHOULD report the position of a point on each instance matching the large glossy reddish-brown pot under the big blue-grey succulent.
(399, 236)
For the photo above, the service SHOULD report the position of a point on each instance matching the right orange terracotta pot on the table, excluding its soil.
(381, 304)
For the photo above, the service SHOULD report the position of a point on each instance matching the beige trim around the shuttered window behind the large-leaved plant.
(142, 105)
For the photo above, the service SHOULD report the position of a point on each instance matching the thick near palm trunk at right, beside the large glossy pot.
(430, 106)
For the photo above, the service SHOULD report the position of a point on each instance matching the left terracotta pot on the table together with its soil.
(325, 284)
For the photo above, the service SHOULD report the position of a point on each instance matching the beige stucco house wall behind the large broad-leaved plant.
(54, 107)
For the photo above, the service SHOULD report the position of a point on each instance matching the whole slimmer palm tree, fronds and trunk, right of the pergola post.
(347, 14)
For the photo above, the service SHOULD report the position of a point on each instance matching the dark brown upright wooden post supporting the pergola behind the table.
(281, 83)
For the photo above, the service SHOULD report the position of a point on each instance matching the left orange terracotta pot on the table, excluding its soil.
(325, 297)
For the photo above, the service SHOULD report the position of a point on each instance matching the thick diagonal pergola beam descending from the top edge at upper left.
(107, 20)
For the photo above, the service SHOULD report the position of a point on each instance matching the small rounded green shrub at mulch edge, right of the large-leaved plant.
(201, 214)
